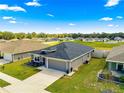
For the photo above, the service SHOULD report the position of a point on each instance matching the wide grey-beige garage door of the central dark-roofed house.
(58, 65)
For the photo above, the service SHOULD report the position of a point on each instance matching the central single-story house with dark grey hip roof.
(66, 56)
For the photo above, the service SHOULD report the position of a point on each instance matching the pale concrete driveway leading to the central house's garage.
(36, 83)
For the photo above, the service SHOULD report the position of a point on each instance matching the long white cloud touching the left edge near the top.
(11, 8)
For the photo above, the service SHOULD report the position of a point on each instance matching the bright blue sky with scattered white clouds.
(62, 16)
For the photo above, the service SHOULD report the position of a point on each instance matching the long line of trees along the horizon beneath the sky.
(10, 35)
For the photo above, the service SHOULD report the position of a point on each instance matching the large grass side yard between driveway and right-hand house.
(85, 80)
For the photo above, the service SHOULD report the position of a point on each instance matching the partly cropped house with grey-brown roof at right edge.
(115, 59)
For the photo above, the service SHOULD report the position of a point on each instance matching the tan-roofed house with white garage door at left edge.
(16, 50)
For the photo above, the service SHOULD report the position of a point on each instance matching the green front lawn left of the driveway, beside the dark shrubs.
(19, 69)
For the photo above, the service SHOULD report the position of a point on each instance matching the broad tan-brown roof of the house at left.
(21, 46)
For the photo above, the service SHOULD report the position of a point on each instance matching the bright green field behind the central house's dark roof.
(100, 45)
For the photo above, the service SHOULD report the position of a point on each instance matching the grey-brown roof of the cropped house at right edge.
(117, 54)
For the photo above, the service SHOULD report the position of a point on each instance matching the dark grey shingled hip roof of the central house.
(66, 50)
